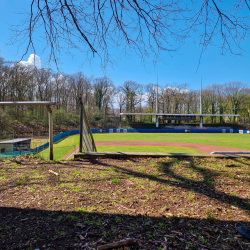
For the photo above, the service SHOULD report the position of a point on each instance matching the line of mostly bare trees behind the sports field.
(104, 99)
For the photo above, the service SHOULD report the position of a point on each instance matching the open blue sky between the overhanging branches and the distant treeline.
(181, 68)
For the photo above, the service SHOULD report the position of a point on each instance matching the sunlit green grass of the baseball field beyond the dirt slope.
(67, 144)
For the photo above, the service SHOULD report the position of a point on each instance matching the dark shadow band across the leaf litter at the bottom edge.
(44, 229)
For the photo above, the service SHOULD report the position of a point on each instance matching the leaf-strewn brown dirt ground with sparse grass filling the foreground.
(166, 203)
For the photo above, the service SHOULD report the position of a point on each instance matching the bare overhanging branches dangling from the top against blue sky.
(140, 27)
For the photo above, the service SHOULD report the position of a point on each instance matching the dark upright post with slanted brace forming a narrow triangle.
(87, 143)
